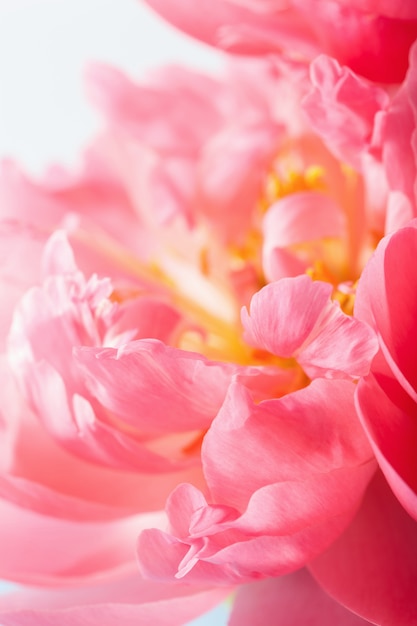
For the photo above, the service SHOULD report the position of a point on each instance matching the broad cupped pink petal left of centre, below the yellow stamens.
(180, 390)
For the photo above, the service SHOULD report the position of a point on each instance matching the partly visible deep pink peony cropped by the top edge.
(373, 38)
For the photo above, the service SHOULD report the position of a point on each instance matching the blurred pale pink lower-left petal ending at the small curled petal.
(41, 550)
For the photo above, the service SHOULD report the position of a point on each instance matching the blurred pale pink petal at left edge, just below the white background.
(91, 198)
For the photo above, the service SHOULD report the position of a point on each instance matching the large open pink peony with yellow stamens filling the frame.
(182, 327)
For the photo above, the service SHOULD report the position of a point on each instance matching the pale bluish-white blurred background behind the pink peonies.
(44, 48)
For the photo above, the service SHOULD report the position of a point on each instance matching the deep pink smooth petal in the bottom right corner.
(372, 567)
